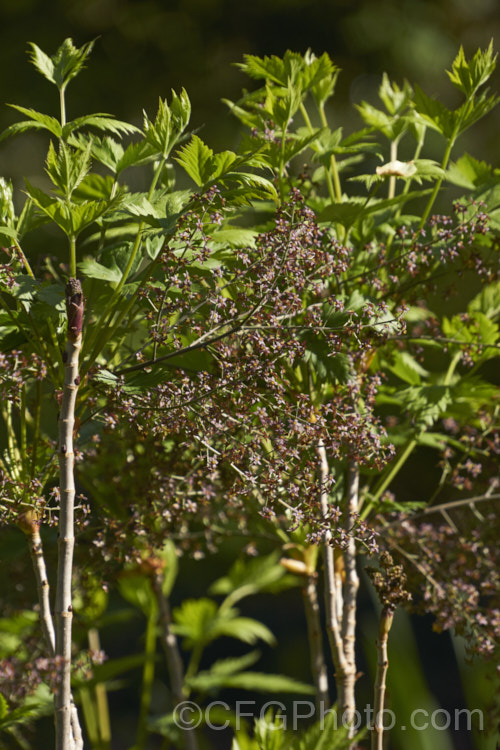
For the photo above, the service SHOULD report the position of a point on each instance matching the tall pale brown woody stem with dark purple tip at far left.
(63, 607)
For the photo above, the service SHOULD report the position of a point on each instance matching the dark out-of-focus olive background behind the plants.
(147, 47)
